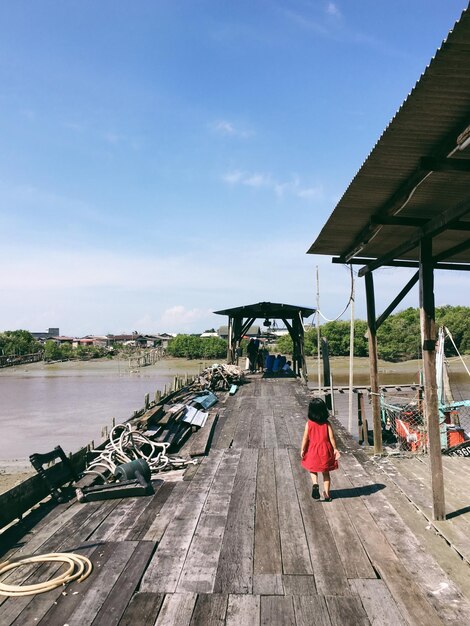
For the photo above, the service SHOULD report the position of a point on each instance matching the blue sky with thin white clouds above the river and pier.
(160, 160)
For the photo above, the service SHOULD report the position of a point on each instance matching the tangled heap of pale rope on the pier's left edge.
(127, 444)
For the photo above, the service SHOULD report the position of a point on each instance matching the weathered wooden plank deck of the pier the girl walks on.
(240, 541)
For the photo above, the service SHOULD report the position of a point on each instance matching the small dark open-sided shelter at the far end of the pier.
(241, 318)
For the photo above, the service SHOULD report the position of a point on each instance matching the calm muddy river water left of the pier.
(68, 404)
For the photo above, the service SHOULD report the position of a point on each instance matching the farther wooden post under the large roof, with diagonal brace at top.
(373, 363)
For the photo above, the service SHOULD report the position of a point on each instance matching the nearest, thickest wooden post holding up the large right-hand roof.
(428, 336)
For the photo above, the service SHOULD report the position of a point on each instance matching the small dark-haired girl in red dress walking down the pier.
(318, 450)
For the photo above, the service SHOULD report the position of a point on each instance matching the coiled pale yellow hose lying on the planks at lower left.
(79, 567)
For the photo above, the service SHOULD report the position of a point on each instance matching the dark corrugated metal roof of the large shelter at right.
(428, 124)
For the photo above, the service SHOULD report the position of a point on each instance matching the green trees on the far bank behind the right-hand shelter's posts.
(398, 338)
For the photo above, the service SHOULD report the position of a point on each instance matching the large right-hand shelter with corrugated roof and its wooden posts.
(409, 206)
